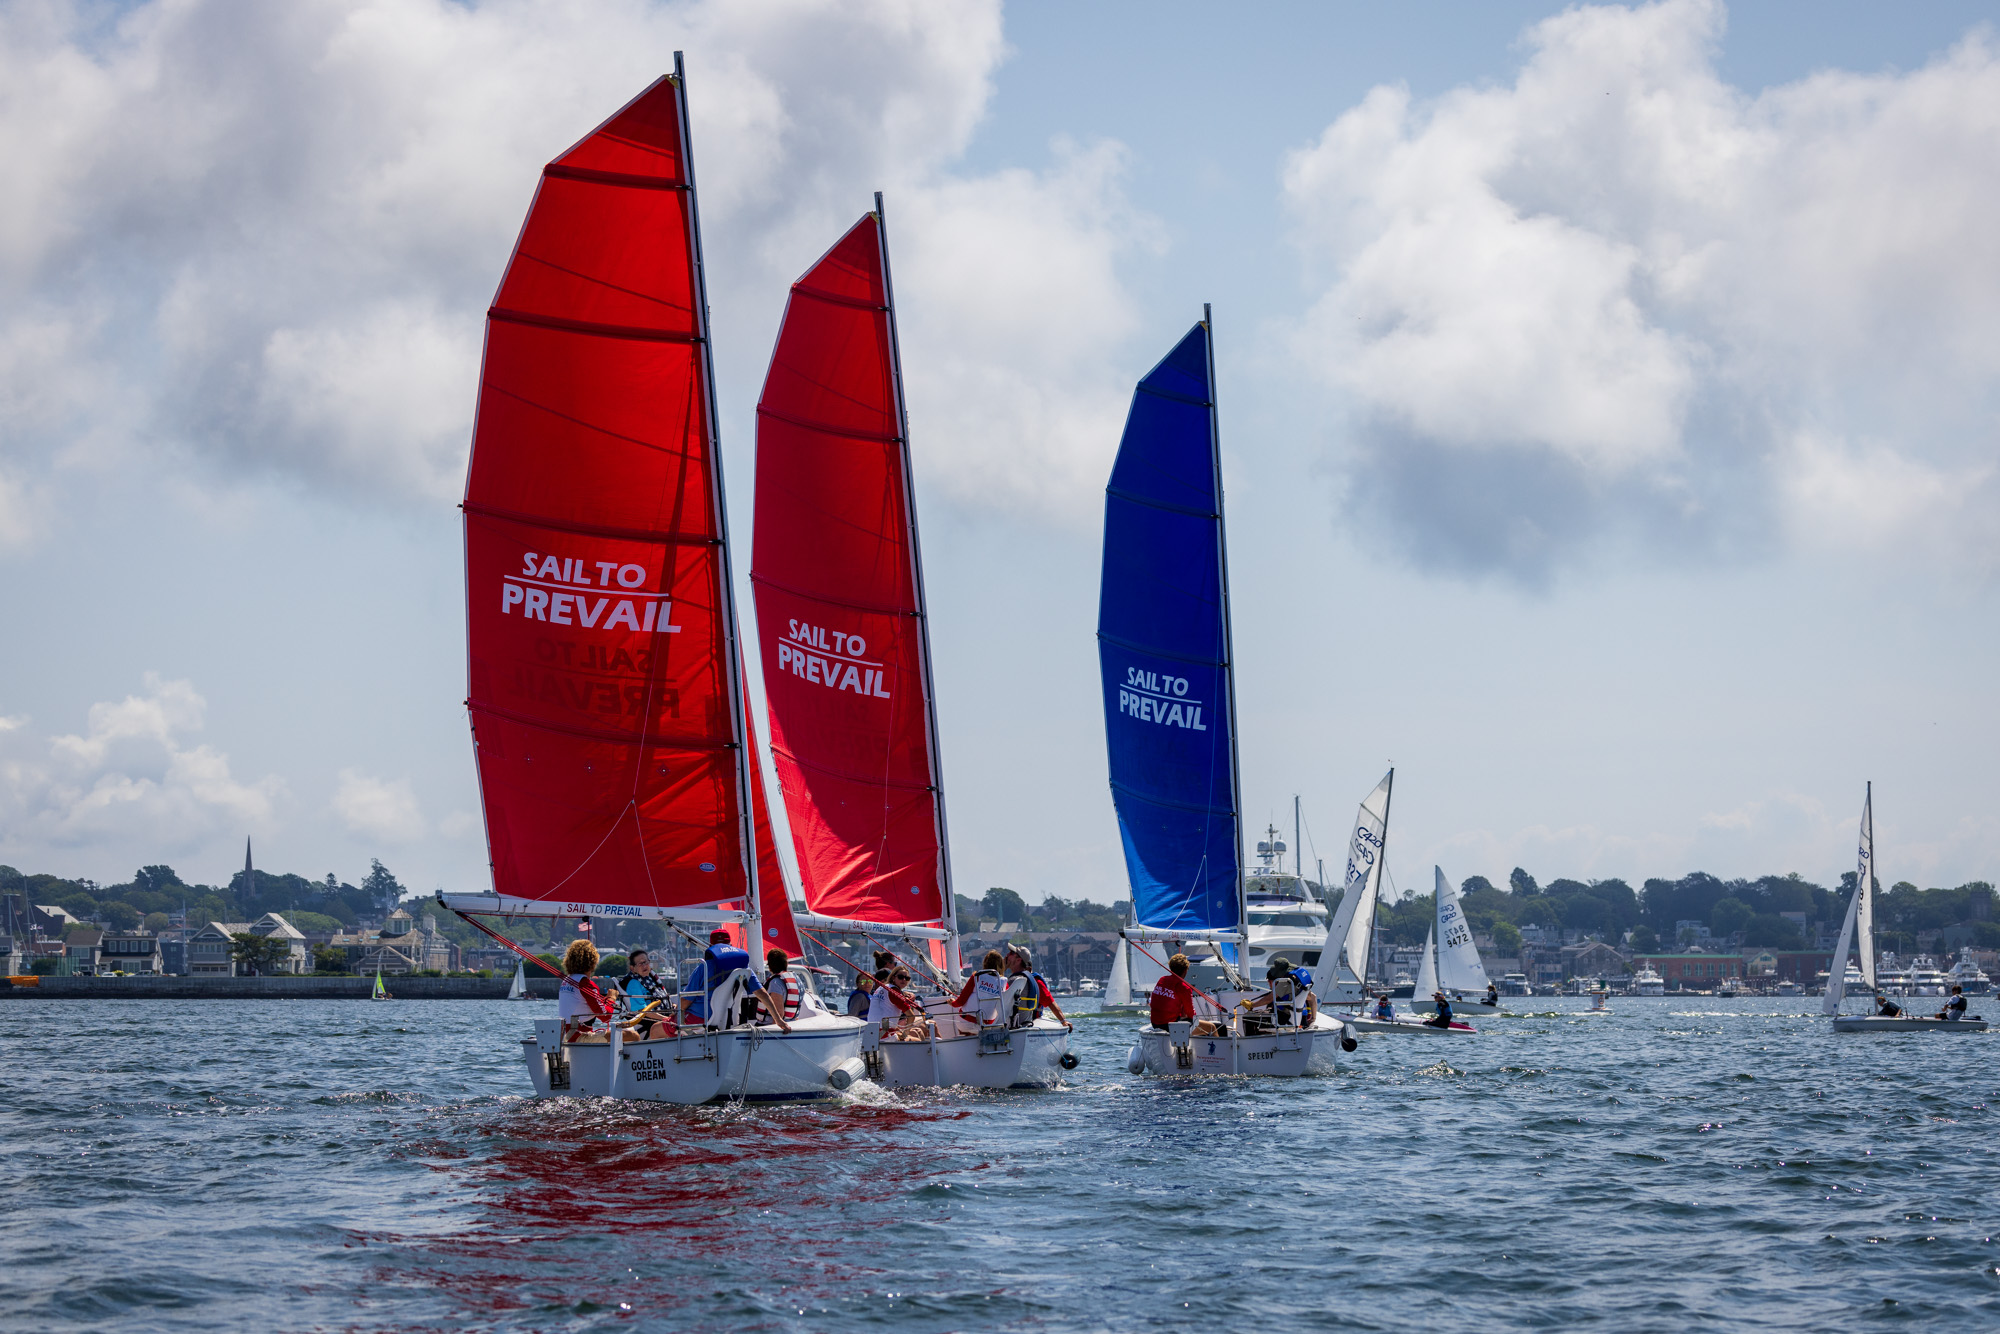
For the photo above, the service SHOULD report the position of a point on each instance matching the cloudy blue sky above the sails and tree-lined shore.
(1609, 405)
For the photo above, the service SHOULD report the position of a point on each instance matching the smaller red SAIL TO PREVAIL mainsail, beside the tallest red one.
(839, 605)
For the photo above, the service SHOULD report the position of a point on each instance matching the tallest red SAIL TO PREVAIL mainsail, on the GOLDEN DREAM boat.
(603, 681)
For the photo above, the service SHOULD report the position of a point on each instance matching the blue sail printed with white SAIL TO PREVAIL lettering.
(1163, 647)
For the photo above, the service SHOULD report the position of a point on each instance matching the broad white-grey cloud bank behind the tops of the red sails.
(265, 235)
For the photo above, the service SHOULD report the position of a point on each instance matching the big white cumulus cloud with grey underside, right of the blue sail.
(1623, 297)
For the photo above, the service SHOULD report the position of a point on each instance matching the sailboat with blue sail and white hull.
(1167, 667)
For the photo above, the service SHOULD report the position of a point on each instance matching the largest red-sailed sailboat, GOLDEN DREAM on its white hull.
(605, 671)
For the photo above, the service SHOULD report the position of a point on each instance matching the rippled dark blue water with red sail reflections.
(333, 1165)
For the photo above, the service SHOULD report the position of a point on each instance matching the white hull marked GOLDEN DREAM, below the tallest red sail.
(755, 1065)
